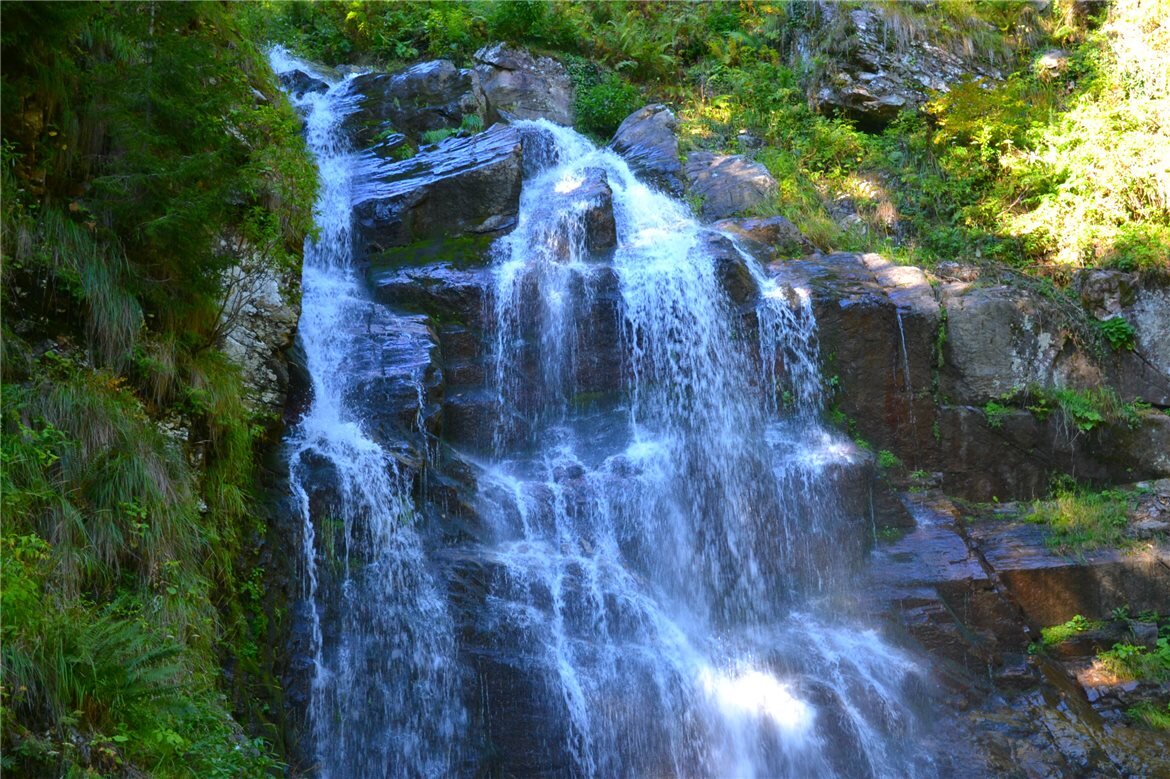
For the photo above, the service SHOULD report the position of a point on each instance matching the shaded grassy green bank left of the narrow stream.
(141, 144)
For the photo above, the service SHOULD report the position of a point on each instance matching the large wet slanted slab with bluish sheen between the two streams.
(460, 187)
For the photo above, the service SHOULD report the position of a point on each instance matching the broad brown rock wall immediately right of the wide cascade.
(914, 366)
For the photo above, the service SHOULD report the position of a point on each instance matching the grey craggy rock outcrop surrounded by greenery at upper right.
(875, 79)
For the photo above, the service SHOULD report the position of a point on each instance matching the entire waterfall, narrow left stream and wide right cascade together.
(662, 542)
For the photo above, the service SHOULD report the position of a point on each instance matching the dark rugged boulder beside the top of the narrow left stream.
(429, 96)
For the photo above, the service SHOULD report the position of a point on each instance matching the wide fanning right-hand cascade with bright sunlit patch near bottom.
(659, 563)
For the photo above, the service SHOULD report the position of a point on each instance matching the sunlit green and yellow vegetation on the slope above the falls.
(1047, 170)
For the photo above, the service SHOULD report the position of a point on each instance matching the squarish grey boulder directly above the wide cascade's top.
(519, 86)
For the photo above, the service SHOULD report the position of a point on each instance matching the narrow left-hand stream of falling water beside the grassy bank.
(383, 688)
